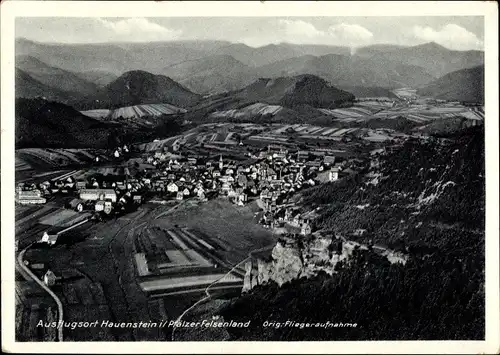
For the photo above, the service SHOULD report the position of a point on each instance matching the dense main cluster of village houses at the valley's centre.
(272, 175)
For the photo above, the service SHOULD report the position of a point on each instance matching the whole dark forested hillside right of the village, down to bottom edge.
(425, 198)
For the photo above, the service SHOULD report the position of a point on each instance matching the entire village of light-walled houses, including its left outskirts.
(270, 177)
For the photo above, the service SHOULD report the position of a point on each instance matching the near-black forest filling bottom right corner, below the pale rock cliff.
(434, 299)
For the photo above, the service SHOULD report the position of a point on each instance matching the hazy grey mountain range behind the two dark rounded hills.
(208, 67)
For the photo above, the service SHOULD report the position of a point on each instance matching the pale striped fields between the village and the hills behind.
(361, 120)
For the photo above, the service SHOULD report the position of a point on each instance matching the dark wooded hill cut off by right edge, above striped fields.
(462, 85)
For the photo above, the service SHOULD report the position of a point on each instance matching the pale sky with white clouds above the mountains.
(459, 32)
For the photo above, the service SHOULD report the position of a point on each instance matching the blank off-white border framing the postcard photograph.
(12, 9)
